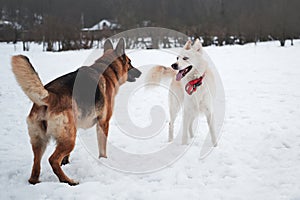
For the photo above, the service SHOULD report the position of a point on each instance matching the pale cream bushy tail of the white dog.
(158, 73)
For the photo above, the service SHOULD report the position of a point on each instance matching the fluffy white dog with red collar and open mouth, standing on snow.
(194, 87)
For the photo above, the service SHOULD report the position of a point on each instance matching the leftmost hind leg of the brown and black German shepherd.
(39, 140)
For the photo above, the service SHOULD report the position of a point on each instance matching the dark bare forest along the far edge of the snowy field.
(215, 21)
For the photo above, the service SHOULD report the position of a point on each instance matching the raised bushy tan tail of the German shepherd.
(29, 80)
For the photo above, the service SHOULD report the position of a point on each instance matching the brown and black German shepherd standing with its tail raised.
(79, 99)
